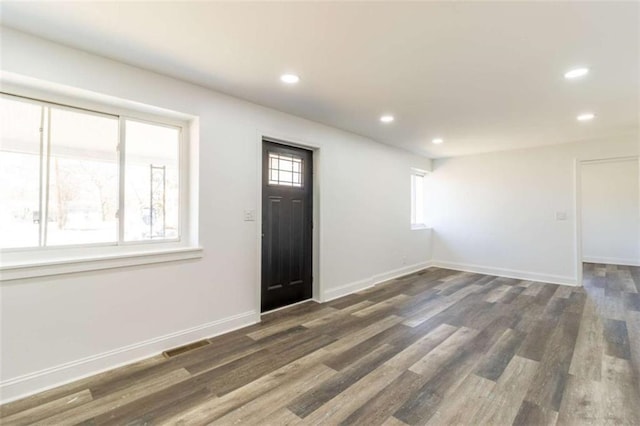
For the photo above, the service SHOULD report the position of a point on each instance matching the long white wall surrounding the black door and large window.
(58, 328)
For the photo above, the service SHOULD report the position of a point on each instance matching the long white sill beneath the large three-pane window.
(67, 265)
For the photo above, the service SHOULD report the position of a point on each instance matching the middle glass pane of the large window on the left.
(83, 178)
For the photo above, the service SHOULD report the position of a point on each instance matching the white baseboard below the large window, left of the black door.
(22, 386)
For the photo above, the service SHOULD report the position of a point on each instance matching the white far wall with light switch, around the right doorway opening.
(496, 213)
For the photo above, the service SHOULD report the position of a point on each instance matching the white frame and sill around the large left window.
(26, 262)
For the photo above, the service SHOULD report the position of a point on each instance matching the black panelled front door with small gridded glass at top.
(286, 225)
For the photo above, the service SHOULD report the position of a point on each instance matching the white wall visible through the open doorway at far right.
(610, 212)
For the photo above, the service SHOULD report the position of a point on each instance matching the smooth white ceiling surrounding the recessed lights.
(484, 76)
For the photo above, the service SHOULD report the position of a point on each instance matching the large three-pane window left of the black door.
(75, 177)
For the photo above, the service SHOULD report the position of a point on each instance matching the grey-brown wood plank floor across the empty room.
(436, 347)
